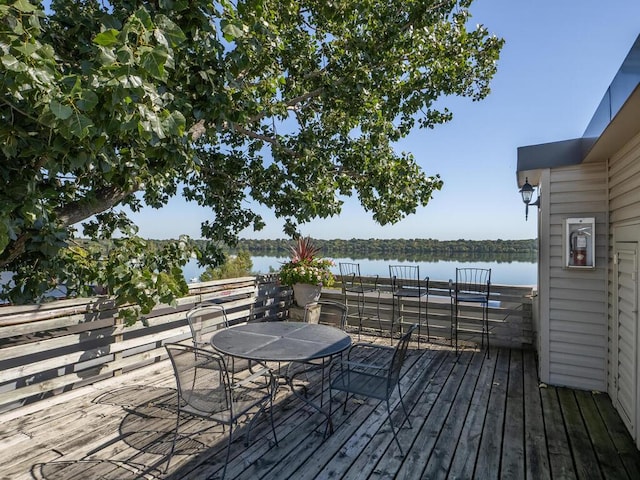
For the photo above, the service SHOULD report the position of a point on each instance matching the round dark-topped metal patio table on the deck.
(283, 342)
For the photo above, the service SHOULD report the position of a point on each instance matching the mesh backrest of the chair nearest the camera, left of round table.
(207, 390)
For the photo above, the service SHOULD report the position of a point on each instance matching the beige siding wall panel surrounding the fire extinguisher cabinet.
(573, 302)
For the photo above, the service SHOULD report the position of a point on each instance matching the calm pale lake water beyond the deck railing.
(504, 272)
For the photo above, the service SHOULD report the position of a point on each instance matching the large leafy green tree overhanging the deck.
(293, 104)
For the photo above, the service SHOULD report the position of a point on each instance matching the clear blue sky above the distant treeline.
(559, 58)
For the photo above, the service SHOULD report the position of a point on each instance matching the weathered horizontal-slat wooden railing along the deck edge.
(59, 346)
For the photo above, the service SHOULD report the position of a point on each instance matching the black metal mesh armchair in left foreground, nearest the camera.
(208, 393)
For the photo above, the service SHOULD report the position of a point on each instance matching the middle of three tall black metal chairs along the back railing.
(407, 283)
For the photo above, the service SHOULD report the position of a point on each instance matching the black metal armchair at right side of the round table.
(377, 379)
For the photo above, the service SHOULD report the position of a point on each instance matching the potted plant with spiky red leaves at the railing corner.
(306, 272)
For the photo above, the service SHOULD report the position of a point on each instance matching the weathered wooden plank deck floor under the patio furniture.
(472, 417)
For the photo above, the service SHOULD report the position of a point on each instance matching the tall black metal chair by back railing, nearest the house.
(472, 286)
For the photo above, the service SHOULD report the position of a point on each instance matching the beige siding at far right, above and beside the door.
(624, 204)
